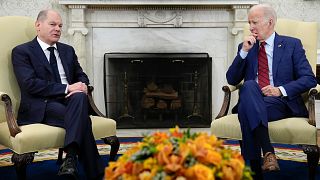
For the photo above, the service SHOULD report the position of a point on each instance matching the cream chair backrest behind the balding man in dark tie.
(14, 30)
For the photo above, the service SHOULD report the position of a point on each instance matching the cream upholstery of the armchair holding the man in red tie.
(291, 130)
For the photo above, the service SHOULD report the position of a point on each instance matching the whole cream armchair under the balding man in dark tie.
(26, 140)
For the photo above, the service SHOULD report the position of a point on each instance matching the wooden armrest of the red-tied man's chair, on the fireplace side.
(227, 89)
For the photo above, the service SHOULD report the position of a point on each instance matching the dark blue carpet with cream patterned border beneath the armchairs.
(292, 161)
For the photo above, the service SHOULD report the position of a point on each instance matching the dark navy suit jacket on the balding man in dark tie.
(36, 80)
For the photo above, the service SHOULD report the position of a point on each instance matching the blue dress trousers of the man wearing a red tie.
(254, 109)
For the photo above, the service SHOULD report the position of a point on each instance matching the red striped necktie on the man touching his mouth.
(263, 69)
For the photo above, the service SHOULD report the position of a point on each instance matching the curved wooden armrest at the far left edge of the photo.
(11, 120)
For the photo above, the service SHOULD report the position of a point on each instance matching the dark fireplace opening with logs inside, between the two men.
(158, 90)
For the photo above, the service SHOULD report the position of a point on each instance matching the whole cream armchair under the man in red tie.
(295, 130)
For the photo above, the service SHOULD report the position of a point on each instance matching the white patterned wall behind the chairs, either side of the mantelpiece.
(307, 10)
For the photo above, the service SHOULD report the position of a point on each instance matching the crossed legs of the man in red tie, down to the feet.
(254, 112)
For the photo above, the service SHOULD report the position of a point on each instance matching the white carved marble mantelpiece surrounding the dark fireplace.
(210, 26)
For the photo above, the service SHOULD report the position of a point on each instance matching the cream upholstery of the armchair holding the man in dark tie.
(34, 137)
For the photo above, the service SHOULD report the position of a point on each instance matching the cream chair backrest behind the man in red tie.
(307, 32)
